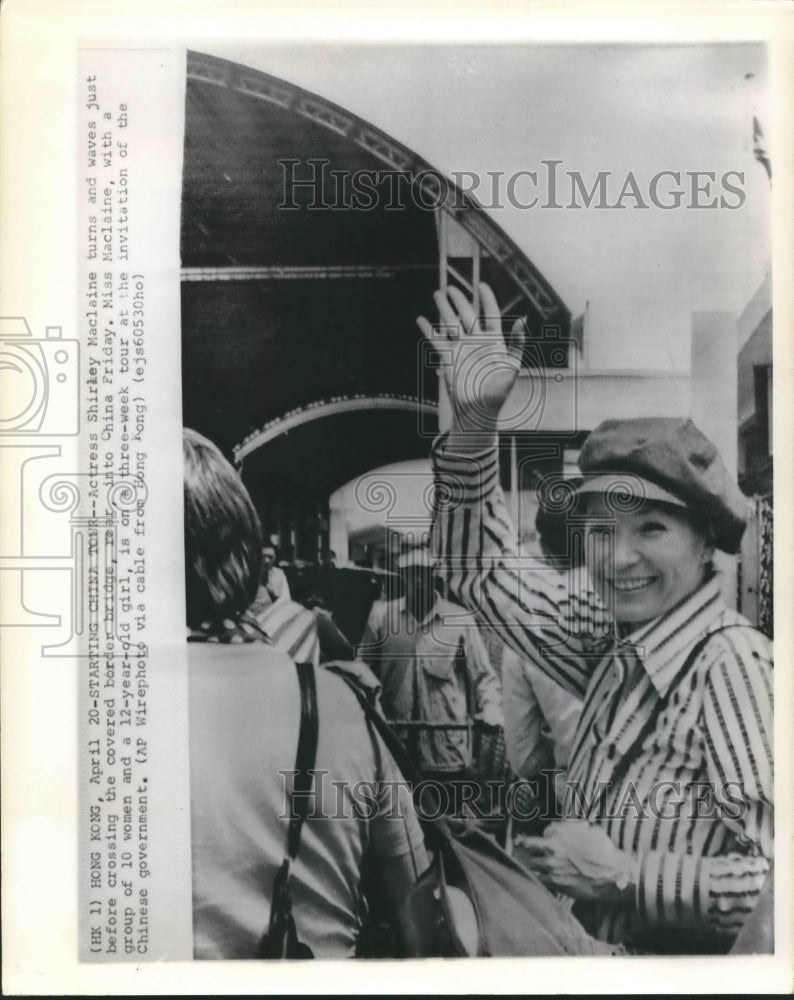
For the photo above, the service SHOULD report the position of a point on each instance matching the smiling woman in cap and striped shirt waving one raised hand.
(666, 840)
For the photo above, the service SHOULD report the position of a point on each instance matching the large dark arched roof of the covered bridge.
(297, 300)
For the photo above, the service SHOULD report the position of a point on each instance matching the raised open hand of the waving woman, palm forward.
(480, 365)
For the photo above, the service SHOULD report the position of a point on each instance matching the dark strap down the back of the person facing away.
(280, 940)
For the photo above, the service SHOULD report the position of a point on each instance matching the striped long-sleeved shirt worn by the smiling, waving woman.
(694, 802)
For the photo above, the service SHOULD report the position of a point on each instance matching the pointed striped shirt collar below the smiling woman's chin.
(664, 643)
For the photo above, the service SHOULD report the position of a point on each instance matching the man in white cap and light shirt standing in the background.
(431, 661)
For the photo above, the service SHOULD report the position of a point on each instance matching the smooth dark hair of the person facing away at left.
(223, 537)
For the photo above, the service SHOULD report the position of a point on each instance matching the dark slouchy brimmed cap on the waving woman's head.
(670, 460)
